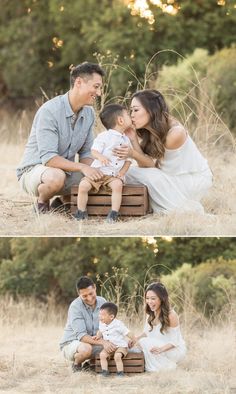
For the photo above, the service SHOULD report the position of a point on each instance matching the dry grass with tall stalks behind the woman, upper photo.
(209, 132)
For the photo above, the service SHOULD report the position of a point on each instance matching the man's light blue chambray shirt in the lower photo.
(82, 320)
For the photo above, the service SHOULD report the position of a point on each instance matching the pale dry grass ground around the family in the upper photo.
(17, 216)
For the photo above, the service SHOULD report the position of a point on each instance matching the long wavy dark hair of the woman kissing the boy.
(153, 140)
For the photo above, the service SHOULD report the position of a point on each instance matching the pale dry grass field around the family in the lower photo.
(31, 361)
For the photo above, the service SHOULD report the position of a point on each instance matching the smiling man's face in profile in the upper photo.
(89, 88)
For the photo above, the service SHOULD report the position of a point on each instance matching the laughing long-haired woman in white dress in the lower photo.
(161, 342)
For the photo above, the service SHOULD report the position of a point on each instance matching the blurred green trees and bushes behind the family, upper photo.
(185, 48)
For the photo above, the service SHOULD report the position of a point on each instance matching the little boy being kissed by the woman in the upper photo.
(116, 120)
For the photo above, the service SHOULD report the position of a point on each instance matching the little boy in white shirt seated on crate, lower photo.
(113, 330)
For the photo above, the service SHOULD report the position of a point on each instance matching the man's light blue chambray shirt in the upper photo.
(53, 134)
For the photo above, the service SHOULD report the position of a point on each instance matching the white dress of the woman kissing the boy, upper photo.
(179, 184)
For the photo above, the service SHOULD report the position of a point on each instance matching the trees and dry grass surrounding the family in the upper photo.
(186, 49)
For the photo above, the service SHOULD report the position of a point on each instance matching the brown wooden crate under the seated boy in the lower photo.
(133, 363)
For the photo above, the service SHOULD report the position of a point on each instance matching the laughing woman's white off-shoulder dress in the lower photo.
(166, 360)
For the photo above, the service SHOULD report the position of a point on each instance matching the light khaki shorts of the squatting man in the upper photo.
(30, 180)
